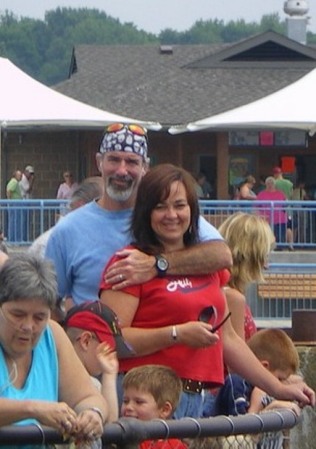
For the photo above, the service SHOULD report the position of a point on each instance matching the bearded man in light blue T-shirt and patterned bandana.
(83, 242)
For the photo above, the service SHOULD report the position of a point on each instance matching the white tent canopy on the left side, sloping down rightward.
(26, 103)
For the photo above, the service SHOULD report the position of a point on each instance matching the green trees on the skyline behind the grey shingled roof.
(43, 48)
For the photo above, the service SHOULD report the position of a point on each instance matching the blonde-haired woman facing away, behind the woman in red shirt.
(250, 240)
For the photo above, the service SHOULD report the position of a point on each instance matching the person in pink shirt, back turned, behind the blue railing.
(275, 214)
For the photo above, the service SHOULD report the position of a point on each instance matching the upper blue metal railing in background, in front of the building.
(23, 221)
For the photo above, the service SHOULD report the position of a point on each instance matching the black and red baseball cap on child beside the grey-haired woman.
(98, 318)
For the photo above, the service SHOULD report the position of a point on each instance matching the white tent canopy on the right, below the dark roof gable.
(292, 107)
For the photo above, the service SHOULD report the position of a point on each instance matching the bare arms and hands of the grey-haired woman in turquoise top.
(77, 396)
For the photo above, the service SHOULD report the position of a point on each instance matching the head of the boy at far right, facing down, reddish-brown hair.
(276, 351)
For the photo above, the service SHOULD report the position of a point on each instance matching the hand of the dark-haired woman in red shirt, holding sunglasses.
(196, 334)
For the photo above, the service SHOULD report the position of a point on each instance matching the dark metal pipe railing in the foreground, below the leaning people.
(129, 431)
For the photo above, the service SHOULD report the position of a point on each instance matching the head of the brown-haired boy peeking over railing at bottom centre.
(150, 391)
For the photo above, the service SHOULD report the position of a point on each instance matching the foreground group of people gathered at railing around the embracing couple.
(151, 307)
